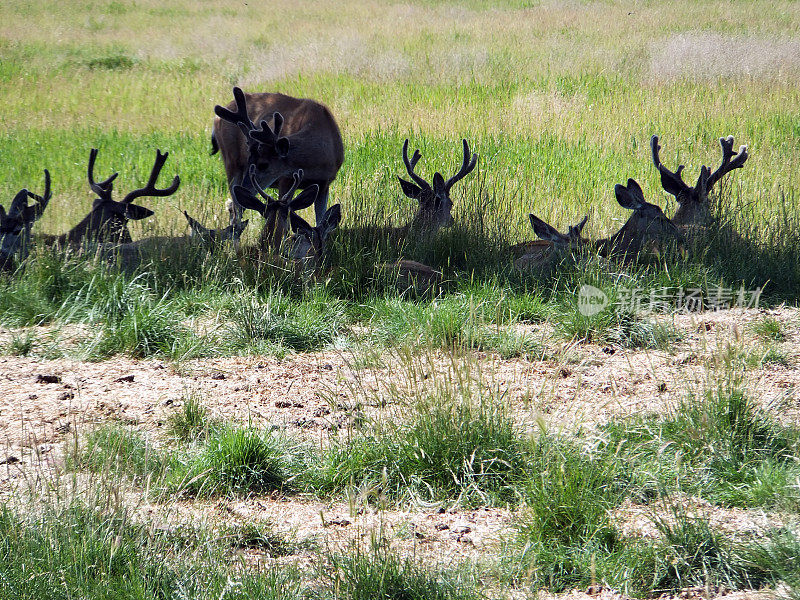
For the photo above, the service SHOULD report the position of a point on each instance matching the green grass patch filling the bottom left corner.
(83, 551)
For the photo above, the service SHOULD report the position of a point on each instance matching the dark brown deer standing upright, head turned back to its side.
(293, 134)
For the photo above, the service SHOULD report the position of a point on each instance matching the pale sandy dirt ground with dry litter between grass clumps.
(45, 405)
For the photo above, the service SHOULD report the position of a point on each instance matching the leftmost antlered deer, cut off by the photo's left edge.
(15, 225)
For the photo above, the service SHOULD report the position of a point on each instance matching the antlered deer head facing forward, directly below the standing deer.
(275, 212)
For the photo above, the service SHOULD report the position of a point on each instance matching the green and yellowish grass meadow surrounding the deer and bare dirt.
(560, 100)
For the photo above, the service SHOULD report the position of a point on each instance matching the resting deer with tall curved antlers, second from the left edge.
(108, 219)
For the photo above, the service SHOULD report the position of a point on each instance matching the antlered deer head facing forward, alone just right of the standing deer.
(435, 205)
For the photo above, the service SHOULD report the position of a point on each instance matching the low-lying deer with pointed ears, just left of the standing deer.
(131, 255)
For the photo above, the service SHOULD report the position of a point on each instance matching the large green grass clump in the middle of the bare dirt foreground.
(449, 448)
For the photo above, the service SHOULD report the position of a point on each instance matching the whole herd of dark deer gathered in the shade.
(270, 140)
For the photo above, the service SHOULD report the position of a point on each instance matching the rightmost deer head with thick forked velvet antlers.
(693, 206)
